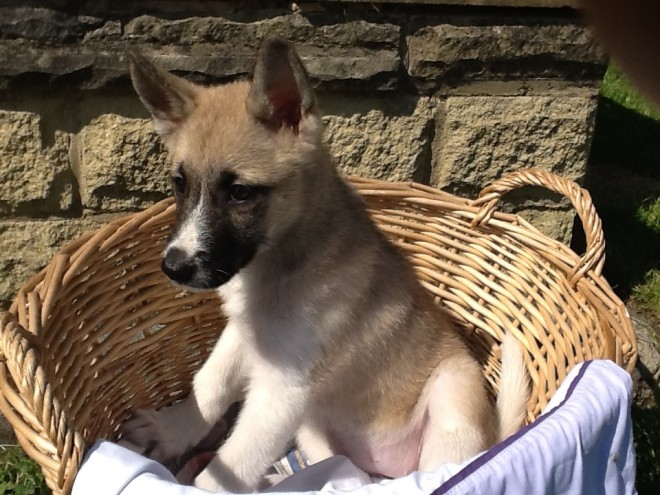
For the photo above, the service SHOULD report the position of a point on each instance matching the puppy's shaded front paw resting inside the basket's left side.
(150, 433)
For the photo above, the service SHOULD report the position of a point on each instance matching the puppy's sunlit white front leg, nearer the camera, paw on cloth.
(271, 415)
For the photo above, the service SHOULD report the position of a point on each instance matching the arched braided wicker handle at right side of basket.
(594, 257)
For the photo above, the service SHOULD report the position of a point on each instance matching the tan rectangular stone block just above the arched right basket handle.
(479, 139)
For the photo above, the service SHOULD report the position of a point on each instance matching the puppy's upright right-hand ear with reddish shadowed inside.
(281, 93)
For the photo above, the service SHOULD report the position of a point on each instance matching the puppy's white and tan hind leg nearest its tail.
(460, 421)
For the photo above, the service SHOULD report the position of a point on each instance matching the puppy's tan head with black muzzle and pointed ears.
(239, 153)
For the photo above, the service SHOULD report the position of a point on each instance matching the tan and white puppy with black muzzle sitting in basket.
(330, 340)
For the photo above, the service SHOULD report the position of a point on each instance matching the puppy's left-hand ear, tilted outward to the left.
(168, 98)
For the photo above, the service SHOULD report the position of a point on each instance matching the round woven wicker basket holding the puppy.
(100, 331)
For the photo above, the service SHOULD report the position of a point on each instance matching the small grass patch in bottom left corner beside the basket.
(20, 475)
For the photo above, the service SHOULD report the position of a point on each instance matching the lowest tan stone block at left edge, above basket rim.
(27, 246)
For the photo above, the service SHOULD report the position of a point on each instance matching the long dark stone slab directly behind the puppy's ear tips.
(357, 51)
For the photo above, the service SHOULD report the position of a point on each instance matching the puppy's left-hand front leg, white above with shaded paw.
(166, 434)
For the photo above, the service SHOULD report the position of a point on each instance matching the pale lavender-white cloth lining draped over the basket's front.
(582, 443)
